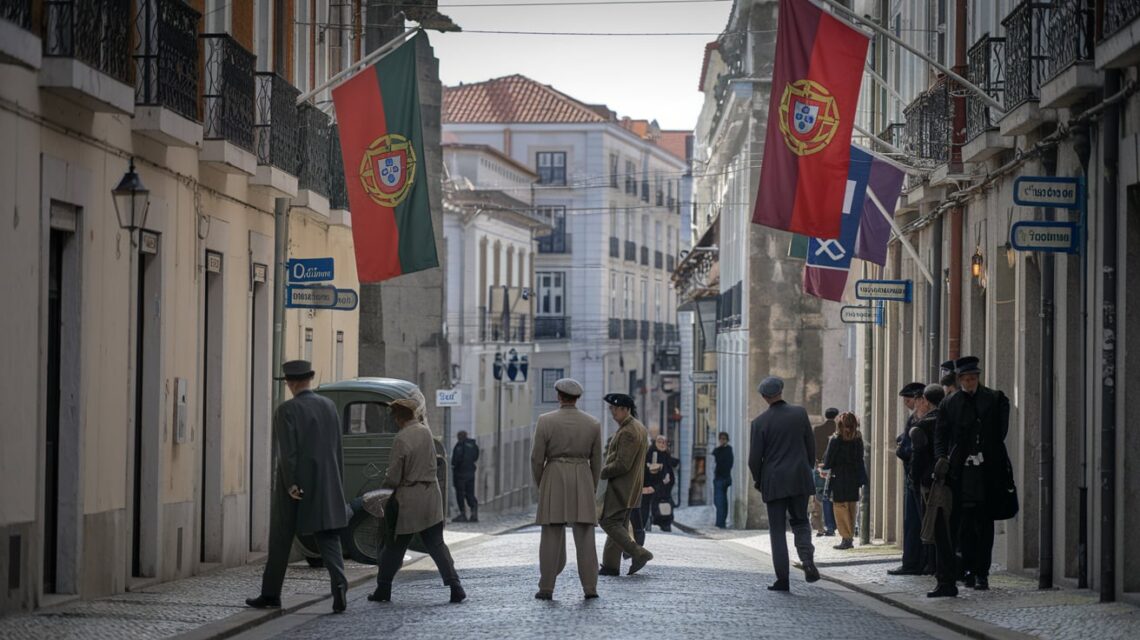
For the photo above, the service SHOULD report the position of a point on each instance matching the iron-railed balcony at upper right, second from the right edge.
(1069, 39)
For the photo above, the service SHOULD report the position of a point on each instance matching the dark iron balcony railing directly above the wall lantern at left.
(167, 56)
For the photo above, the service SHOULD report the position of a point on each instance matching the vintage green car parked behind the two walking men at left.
(368, 443)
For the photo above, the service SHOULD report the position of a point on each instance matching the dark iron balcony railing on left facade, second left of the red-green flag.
(227, 91)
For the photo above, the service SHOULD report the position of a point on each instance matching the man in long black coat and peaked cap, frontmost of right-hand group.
(970, 444)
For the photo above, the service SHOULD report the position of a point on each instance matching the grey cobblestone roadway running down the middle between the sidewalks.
(695, 588)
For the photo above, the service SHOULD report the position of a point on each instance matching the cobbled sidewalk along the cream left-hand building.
(213, 605)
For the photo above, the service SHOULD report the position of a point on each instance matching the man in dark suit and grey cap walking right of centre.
(781, 459)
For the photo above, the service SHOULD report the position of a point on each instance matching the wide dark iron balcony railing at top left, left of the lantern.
(96, 33)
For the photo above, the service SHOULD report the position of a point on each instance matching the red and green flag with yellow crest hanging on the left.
(378, 112)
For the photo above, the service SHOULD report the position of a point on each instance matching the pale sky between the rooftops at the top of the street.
(646, 78)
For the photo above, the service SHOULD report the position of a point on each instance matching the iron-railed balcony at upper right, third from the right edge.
(1027, 60)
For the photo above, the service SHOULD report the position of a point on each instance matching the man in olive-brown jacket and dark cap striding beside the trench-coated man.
(624, 475)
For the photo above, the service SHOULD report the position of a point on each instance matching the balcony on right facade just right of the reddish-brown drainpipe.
(987, 61)
